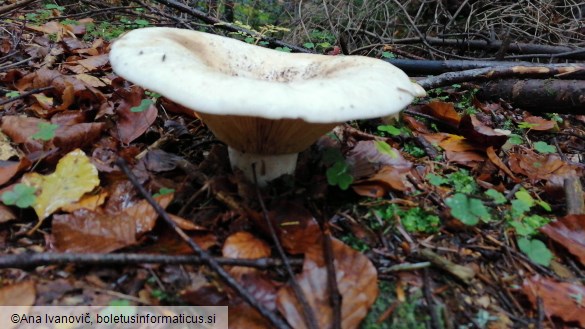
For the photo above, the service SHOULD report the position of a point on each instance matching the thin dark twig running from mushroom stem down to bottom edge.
(309, 315)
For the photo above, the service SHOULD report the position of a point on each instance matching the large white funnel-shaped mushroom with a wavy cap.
(266, 105)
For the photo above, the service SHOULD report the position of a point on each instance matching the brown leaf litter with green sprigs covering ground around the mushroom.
(59, 161)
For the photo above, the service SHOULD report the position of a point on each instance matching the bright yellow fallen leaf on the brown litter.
(74, 176)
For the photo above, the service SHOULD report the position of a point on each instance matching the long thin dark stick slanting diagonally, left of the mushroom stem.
(202, 254)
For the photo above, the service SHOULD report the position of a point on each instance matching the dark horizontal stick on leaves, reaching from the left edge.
(40, 259)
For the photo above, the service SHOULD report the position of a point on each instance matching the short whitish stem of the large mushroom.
(268, 167)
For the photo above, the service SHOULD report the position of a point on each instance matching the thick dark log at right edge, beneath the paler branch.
(538, 95)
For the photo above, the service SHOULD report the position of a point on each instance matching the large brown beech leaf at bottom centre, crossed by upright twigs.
(356, 280)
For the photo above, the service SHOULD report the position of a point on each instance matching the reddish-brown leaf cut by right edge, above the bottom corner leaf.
(569, 232)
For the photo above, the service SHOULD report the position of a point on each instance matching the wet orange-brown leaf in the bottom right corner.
(559, 299)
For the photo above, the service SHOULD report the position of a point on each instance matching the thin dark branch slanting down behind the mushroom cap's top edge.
(229, 26)
